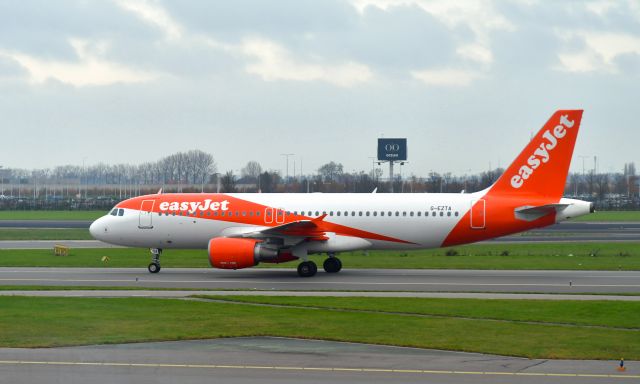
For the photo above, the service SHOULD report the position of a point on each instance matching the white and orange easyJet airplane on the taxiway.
(240, 230)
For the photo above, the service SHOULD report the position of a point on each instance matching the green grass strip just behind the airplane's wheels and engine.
(563, 256)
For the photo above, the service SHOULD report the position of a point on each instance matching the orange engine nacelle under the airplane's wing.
(237, 253)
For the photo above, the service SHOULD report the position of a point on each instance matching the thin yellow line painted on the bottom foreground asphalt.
(324, 369)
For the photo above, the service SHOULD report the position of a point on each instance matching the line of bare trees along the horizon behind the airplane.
(196, 171)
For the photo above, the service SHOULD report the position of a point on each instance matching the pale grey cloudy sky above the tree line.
(467, 82)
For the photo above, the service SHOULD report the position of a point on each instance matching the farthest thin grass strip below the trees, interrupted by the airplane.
(92, 215)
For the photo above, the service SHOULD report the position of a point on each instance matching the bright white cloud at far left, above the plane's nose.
(89, 70)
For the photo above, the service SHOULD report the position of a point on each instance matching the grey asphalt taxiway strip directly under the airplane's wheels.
(347, 280)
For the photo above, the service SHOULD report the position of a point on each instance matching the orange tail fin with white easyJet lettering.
(541, 168)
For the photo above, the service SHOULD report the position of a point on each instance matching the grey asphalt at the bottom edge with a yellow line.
(279, 360)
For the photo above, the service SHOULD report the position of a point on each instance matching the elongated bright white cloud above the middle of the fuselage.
(273, 62)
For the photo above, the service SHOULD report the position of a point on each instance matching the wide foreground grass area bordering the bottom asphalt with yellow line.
(47, 322)
